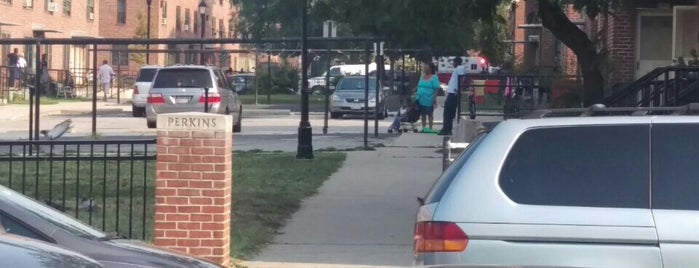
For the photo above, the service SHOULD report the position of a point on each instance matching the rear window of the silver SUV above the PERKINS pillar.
(169, 78)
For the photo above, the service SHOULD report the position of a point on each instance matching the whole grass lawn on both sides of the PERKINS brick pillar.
(268, 189)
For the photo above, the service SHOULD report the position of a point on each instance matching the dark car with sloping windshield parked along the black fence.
(23, 216)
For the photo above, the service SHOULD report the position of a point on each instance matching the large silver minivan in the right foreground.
(609, 191)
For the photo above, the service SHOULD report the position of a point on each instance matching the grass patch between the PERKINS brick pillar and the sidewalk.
(268, 189)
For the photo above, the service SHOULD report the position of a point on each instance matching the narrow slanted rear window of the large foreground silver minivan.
(442, 184)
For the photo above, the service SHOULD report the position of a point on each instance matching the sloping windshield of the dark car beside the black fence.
(58, 219)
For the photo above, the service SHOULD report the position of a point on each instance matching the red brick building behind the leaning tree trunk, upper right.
(637, 38)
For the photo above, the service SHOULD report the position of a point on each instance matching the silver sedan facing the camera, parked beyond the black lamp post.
(348, 97)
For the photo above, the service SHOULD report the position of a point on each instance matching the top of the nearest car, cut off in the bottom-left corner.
(20, 252)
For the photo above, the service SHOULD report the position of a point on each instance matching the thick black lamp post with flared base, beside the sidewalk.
(305, 145)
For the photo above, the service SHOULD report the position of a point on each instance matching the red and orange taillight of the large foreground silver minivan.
(439, 237)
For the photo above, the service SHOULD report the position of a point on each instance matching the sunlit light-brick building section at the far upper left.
(49, 19)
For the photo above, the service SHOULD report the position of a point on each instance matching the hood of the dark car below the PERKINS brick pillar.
(140, 253)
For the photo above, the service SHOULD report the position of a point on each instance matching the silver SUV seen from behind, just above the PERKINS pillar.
(182, 88)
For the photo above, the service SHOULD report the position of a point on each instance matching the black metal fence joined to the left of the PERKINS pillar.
(108, 184)
